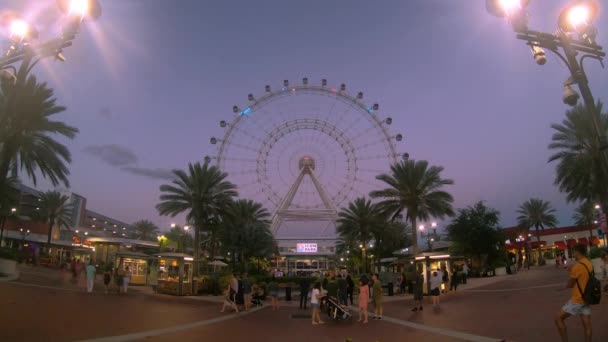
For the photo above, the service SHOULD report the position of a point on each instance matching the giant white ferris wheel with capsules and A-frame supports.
(305, 150)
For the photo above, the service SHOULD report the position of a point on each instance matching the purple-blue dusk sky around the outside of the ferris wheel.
(148, 83)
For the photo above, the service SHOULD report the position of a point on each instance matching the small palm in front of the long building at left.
(56, 209)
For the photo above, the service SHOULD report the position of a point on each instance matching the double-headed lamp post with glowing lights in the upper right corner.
(575, 35)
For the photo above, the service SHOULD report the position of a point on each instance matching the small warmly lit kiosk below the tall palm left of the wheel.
(174, 274)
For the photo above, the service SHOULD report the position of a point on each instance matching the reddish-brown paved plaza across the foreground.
(44, 305)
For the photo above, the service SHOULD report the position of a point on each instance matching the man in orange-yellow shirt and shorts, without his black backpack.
(579, 276)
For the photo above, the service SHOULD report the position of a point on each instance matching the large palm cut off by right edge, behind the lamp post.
(580, 171)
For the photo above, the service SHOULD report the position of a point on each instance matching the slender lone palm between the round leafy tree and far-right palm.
(538, 214)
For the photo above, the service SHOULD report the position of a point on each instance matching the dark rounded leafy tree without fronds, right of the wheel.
(475, 232)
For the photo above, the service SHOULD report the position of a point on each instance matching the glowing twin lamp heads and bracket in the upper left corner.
(23, 46)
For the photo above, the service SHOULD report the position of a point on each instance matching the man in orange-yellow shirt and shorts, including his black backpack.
(586, 291)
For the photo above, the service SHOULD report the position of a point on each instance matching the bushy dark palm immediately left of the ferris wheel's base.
(247, 231)
